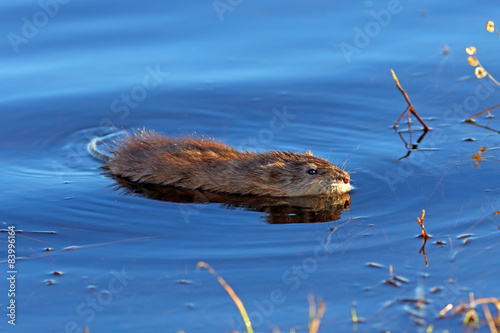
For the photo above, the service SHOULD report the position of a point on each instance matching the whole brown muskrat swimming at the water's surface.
(207, 164)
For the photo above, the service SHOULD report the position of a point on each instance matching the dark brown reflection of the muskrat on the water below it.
(278, 210)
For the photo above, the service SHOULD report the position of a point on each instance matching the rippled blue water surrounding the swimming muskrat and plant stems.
(73, 69)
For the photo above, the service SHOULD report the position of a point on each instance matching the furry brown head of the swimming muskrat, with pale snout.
(306, 175)
